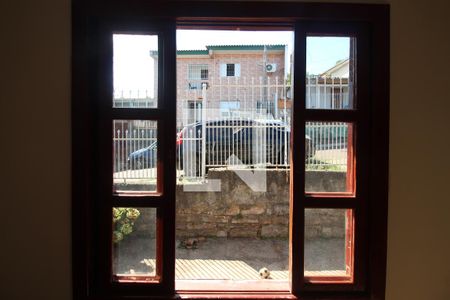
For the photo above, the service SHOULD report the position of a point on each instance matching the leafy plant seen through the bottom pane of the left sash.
(123, 222)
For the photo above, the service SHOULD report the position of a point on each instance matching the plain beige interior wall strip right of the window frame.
(419, 203)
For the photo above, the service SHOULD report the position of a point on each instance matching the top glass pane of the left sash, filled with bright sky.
(135, 71)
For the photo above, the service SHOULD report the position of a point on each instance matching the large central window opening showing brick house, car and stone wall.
(234, 120)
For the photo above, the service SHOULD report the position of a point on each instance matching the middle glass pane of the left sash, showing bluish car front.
(135, 155)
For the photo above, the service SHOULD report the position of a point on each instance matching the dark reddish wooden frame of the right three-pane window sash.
(357, 175)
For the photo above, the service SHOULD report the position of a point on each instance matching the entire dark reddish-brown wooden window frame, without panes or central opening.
(92, 116)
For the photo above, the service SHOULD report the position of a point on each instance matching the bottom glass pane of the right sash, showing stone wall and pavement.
(328, 242)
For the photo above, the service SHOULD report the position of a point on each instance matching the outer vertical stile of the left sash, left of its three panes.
(103, 177)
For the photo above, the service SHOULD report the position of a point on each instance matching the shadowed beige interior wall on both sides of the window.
(35, 242)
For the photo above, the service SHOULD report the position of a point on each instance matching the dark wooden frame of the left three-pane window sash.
(162, 199)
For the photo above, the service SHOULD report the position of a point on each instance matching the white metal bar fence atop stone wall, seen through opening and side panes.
(253, 133)
